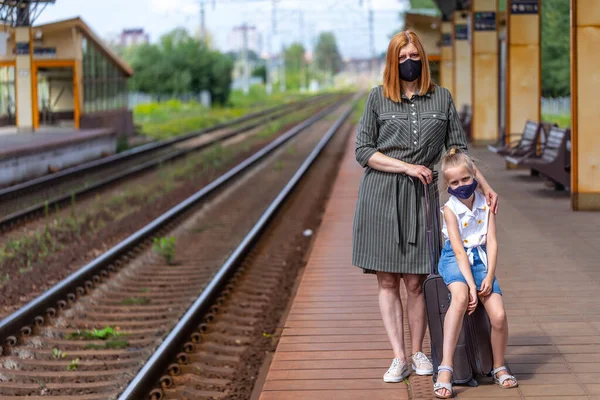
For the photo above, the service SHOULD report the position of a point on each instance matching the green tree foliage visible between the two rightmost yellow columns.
(555, 48)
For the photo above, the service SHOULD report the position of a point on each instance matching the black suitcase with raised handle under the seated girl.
(473, 356)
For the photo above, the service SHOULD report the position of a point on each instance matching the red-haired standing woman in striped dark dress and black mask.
(404, 128)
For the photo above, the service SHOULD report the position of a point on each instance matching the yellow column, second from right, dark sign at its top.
(523, 72)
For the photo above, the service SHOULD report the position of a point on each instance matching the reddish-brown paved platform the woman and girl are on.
(333, 344)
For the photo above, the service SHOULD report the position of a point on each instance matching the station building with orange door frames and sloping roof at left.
(61, 75)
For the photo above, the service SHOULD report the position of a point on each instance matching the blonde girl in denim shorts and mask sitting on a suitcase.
(467, 265)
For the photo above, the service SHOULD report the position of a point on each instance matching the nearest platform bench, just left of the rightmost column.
(554, 161)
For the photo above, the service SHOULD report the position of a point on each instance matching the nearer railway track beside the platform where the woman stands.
(140, 306)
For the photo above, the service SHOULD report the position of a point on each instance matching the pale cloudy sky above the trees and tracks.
(297, 20)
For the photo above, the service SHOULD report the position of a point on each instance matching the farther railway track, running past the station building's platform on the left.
(33, 199)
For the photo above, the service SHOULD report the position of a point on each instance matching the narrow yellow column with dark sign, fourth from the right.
(462, 60)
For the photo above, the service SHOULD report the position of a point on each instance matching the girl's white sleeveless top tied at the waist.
(472, 224)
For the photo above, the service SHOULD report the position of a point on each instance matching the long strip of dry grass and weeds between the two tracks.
(32, 249)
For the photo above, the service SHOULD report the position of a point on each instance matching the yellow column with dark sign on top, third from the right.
(485, 71)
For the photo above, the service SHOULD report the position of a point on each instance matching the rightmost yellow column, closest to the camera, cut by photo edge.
(585, 118)
